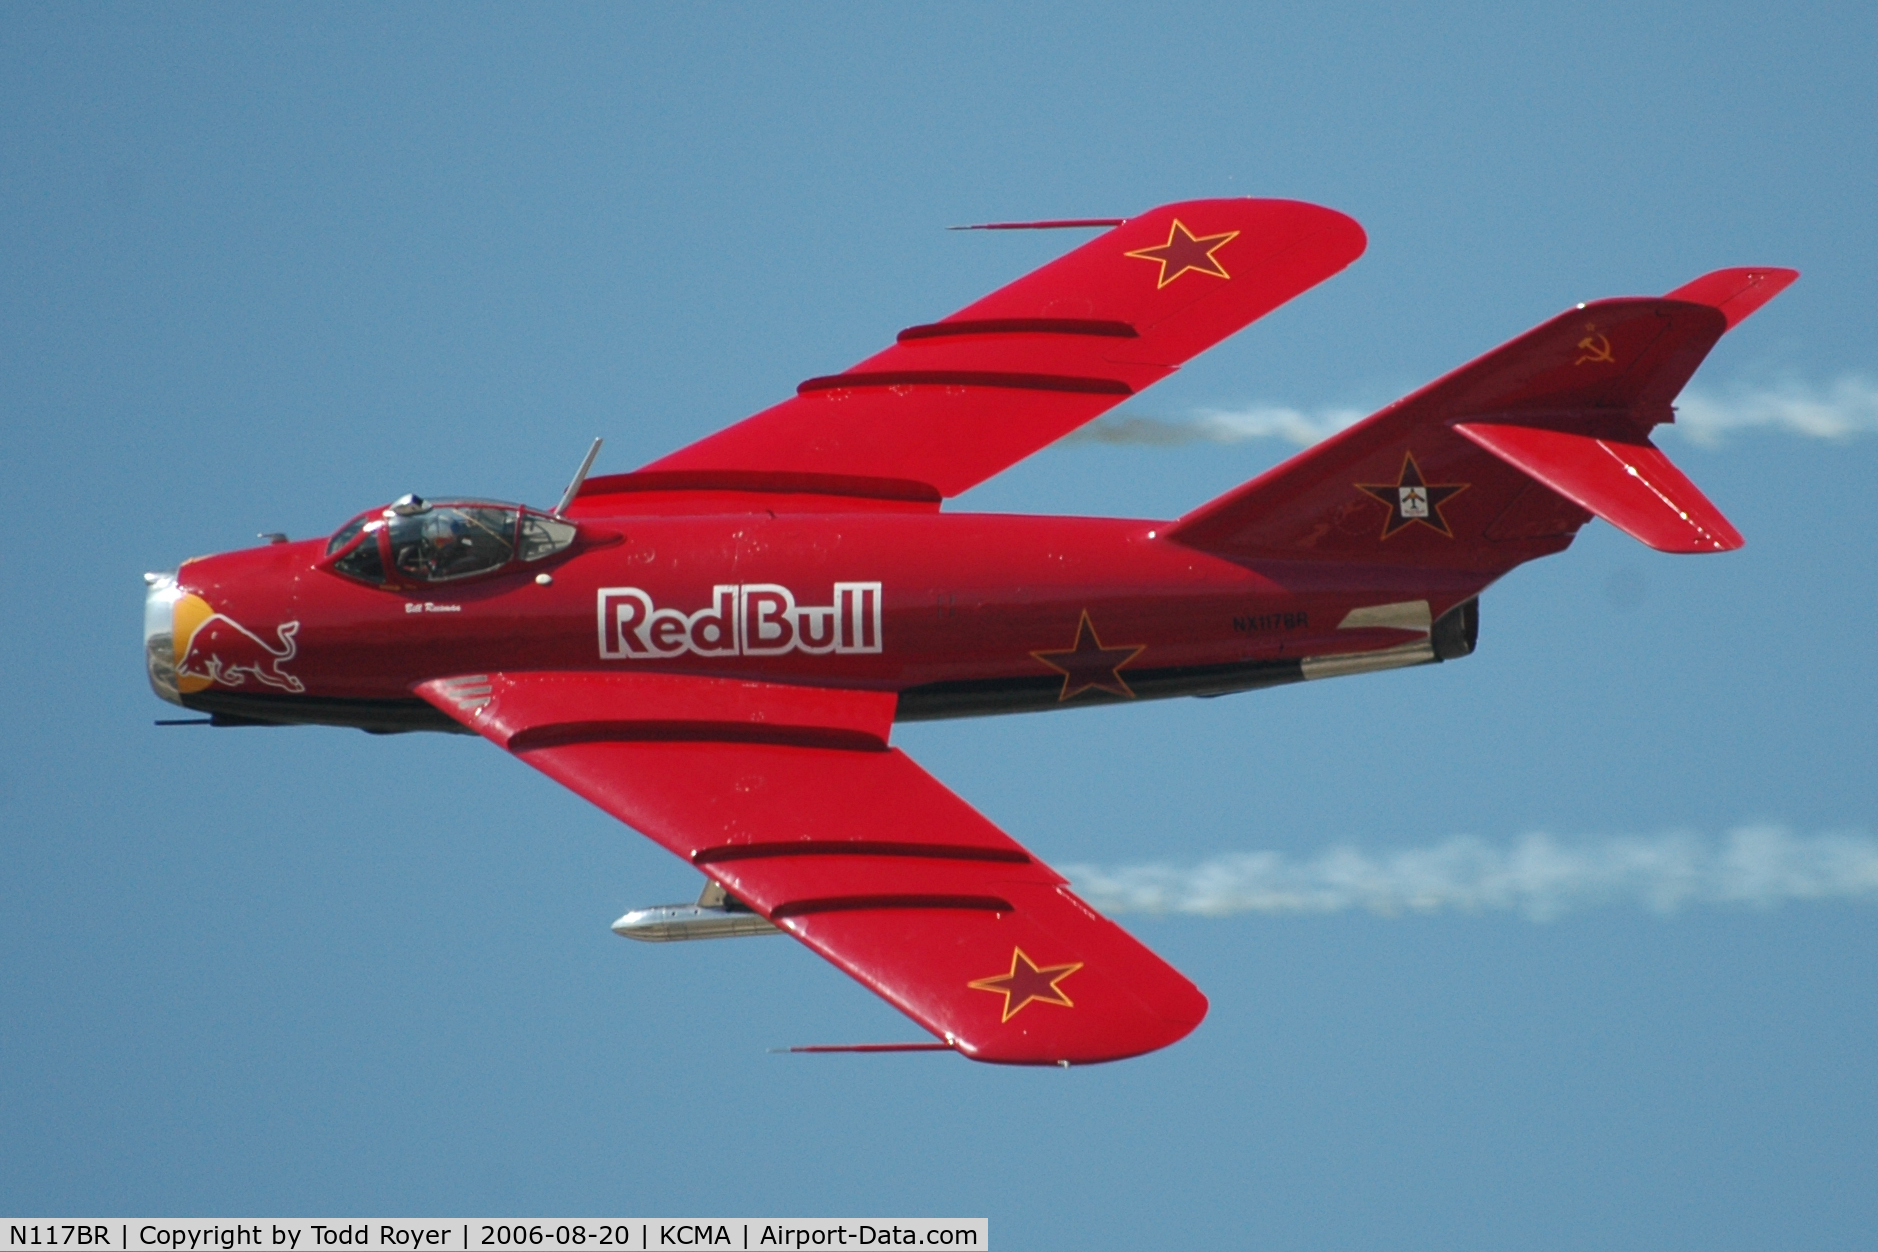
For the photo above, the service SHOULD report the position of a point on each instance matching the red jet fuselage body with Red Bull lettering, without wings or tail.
(955, 613)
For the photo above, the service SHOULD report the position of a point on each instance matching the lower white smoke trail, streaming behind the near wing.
(1757, 866)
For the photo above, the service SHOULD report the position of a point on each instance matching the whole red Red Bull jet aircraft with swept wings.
(716, 647)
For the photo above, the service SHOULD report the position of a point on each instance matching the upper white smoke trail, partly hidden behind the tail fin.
(1845, 410)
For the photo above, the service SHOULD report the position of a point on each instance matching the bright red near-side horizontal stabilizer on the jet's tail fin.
(1629, 483)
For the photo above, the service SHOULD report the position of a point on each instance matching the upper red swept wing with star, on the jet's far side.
(957, 401)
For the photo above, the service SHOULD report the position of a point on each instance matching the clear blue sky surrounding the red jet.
(264, 269)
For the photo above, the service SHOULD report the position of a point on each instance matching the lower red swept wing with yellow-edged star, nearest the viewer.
(792, 801)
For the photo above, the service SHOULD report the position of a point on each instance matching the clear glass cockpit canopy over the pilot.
(422, 542)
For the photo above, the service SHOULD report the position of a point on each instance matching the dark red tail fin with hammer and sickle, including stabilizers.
(1507, 457)
